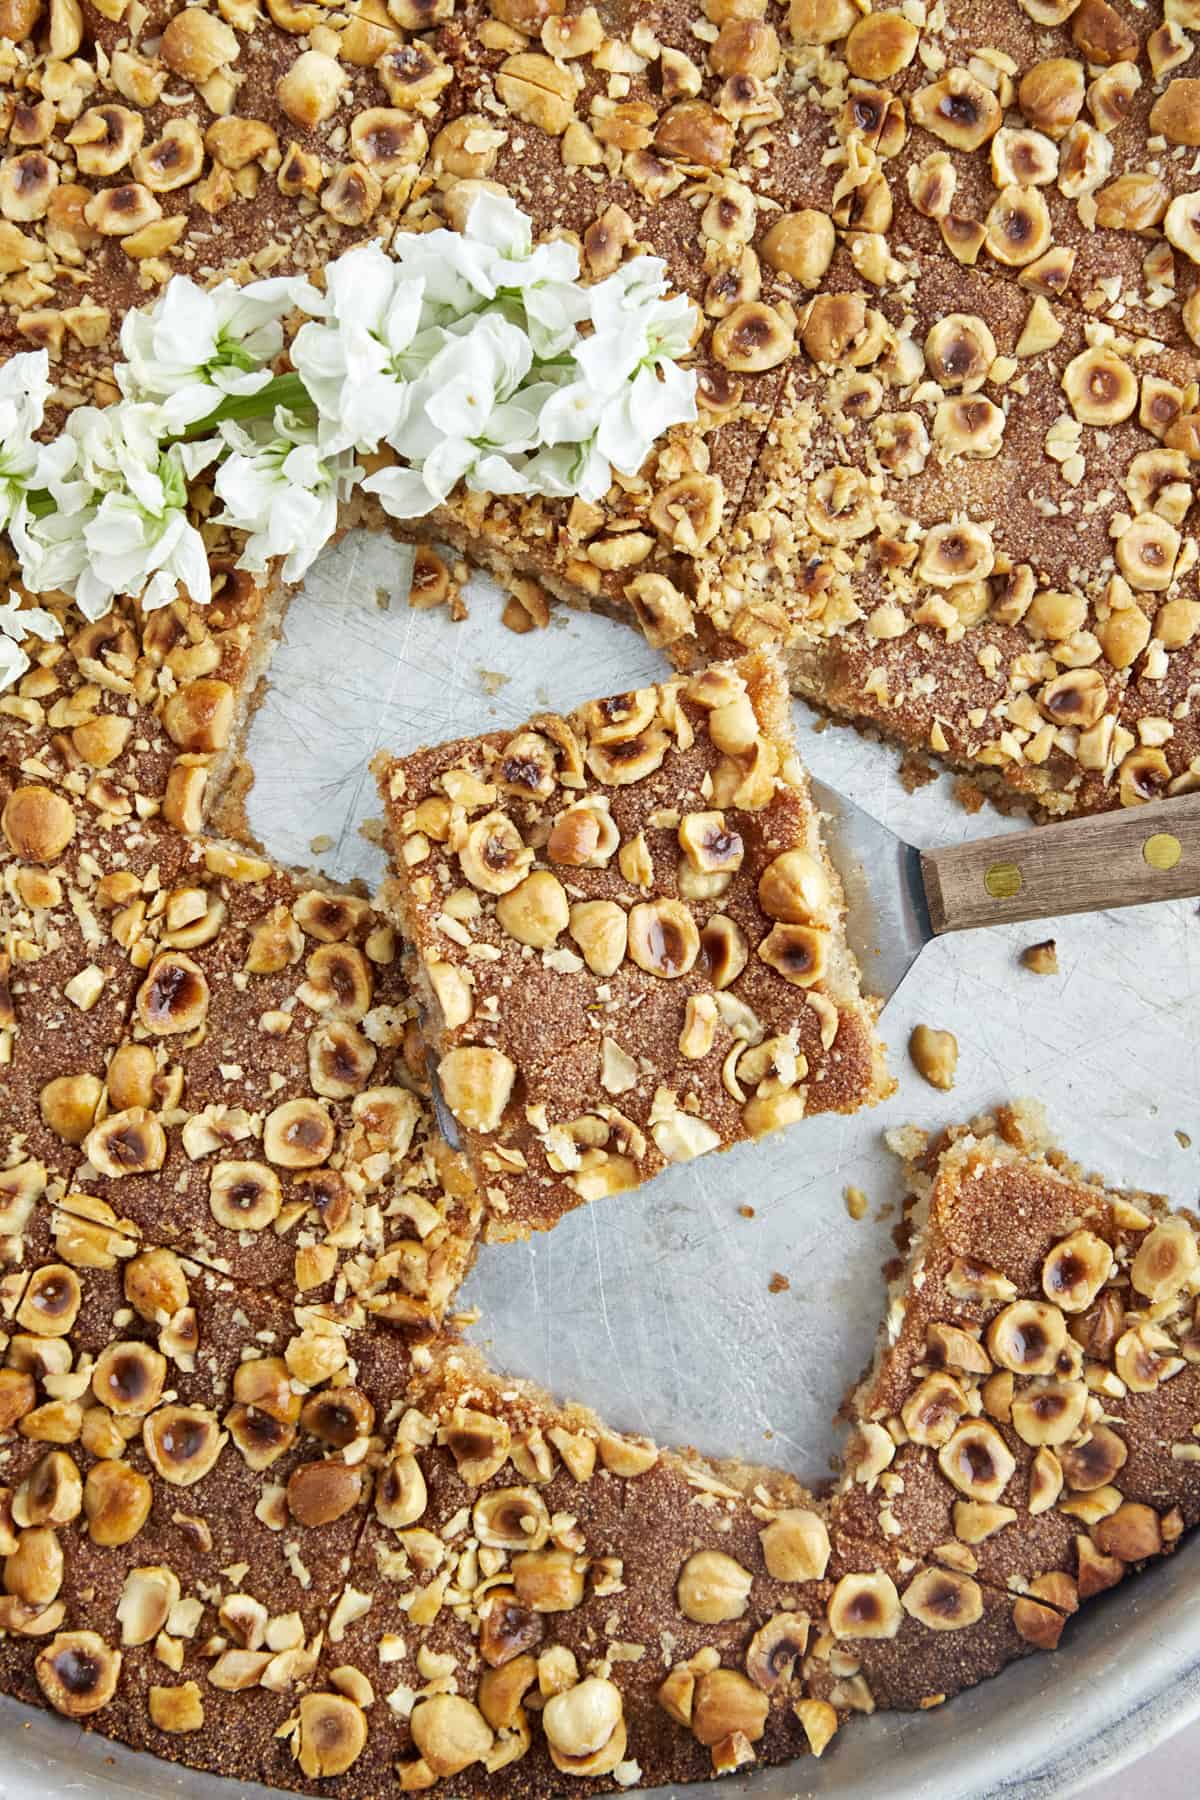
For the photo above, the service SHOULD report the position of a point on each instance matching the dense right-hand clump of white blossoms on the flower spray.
(461, 352)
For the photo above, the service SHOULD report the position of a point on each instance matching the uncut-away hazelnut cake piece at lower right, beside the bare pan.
(1032, 1412)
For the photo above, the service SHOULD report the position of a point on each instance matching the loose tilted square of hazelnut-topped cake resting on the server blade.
(627, 939)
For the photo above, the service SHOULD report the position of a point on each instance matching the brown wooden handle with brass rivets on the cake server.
(1086, 867)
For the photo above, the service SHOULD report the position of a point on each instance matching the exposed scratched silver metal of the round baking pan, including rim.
(658, 1308)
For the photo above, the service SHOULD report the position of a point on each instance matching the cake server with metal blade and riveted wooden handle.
(900, 897)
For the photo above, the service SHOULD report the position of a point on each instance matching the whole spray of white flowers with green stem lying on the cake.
(463, 357)
